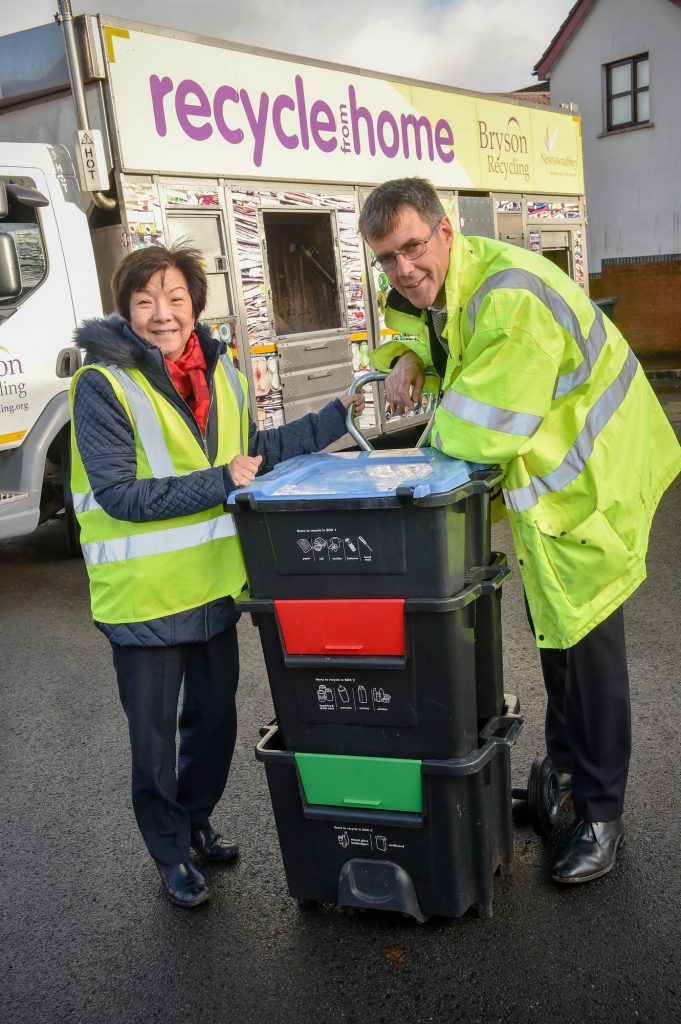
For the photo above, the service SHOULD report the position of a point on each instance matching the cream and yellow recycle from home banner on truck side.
(186, 107)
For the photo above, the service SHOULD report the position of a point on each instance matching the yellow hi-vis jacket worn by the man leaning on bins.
(541, 383)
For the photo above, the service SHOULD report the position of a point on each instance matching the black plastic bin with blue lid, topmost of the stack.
(322, 526)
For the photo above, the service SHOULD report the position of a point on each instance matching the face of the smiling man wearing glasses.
(421, 280)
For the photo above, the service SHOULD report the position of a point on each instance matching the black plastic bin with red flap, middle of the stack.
(385, 677)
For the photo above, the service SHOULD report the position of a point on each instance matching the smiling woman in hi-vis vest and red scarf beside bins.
(160, 436)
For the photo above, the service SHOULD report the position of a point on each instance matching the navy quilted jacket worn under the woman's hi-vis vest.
(106, 443)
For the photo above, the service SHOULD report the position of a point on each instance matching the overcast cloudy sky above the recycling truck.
(491, 46)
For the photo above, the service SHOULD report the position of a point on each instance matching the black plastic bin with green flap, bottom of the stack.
(439, 858)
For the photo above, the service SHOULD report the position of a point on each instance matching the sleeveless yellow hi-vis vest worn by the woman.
(145, 571)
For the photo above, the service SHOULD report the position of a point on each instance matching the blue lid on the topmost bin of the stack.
(358, 477)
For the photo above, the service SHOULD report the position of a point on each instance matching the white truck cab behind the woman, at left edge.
(49, 285)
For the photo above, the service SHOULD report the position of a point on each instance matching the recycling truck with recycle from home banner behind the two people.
(261, 160)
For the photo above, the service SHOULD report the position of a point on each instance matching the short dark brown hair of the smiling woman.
(135, 272)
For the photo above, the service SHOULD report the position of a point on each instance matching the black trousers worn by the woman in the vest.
(174, 793)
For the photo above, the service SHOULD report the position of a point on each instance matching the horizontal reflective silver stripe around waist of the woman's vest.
(158, 543)
